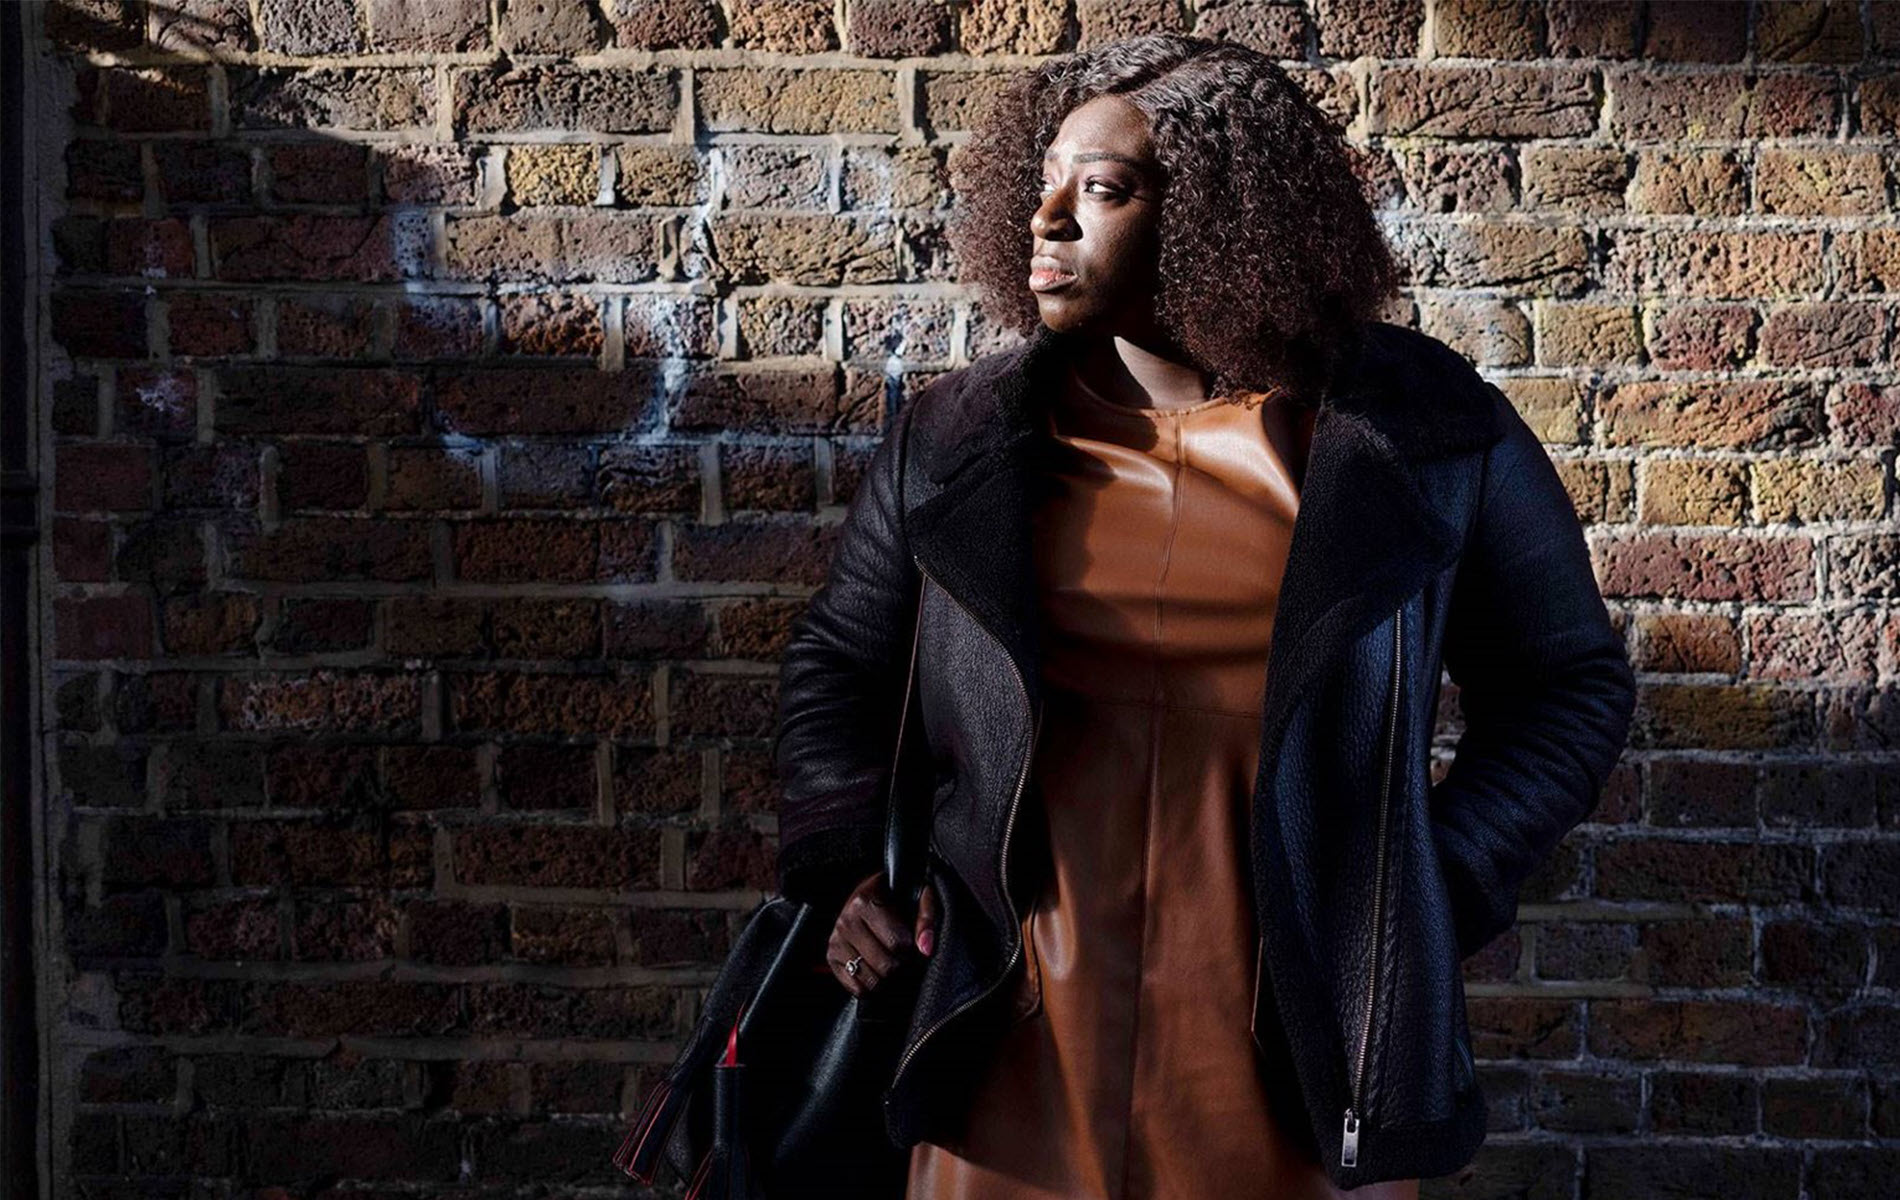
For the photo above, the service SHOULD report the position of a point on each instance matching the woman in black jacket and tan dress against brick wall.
(1181, 730)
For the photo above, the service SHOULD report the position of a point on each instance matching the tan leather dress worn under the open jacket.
(1131, 1072)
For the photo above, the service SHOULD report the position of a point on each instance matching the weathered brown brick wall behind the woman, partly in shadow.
(447, 405)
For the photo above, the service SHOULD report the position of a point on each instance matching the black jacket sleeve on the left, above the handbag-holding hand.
(841, 692)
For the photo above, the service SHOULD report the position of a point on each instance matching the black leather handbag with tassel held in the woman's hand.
(778, 1093)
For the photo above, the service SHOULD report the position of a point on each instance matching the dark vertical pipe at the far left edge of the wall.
(20, 529)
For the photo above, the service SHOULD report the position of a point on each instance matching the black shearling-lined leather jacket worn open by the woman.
(1434, 534)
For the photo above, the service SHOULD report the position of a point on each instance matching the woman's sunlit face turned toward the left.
(1095, 233)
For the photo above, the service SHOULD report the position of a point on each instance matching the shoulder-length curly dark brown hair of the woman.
(1270, 259)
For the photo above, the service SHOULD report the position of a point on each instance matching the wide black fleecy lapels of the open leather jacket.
(1367, 534)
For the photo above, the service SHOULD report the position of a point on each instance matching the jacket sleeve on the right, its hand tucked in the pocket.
(1546, 686)
